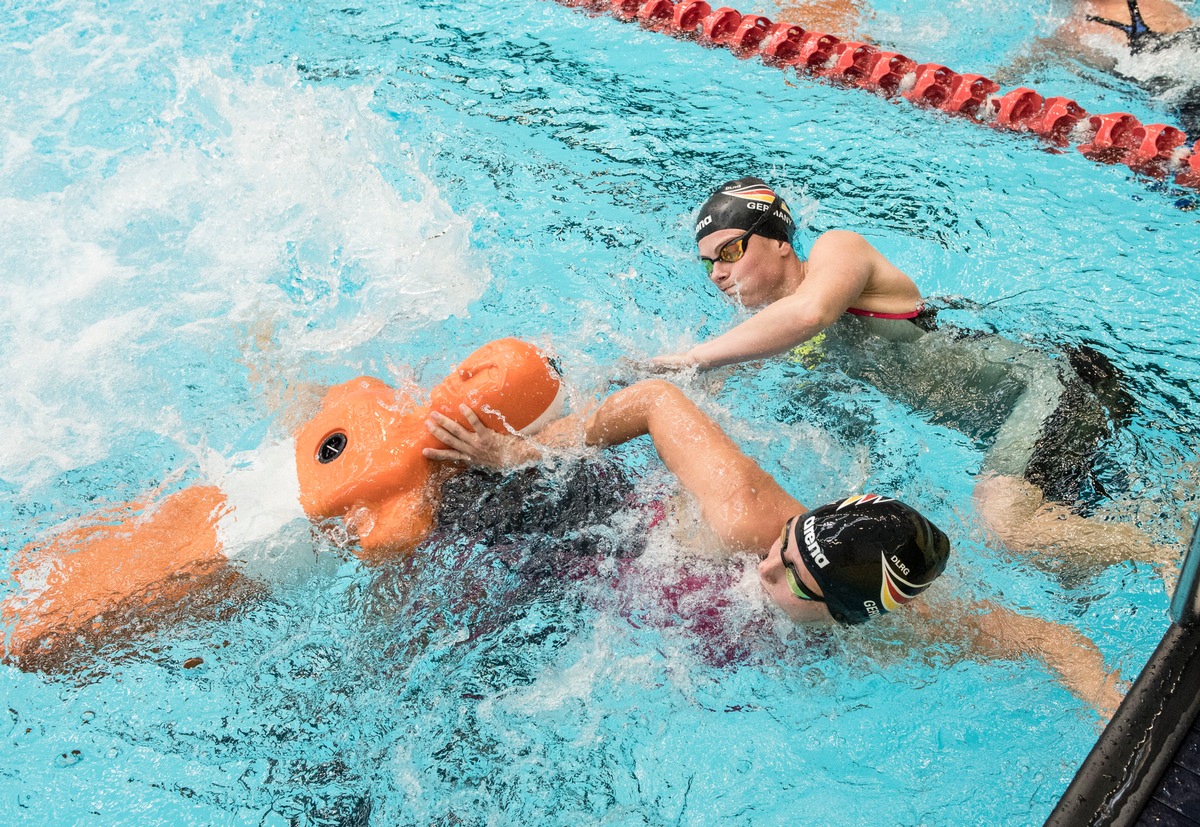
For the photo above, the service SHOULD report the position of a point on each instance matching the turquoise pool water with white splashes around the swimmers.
(209, 211)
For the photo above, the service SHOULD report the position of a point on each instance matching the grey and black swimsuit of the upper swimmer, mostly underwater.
(1040, 415)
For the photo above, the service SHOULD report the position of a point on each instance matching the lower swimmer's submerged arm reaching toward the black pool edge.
(1001, 633)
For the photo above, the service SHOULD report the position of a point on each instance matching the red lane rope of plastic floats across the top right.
(1156, 151)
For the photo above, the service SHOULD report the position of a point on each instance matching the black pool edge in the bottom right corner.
(1145, 769)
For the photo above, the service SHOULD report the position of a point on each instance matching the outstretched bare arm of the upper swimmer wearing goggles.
(839, 271)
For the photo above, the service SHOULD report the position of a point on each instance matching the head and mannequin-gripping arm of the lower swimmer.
(854, 560)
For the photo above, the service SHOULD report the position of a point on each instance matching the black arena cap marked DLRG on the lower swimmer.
(871, 555)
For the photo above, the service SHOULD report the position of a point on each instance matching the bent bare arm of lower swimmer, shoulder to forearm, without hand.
(745, 506)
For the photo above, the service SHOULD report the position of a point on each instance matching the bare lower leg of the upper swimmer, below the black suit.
(1025, 522)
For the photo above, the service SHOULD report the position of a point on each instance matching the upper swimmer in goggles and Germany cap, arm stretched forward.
(860, 310)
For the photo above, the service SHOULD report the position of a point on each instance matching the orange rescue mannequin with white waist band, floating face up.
(358, 460)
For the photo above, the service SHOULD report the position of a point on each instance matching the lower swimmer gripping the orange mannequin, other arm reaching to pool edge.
(847, 562)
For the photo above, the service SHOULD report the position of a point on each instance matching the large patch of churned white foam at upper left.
(257, 202)
